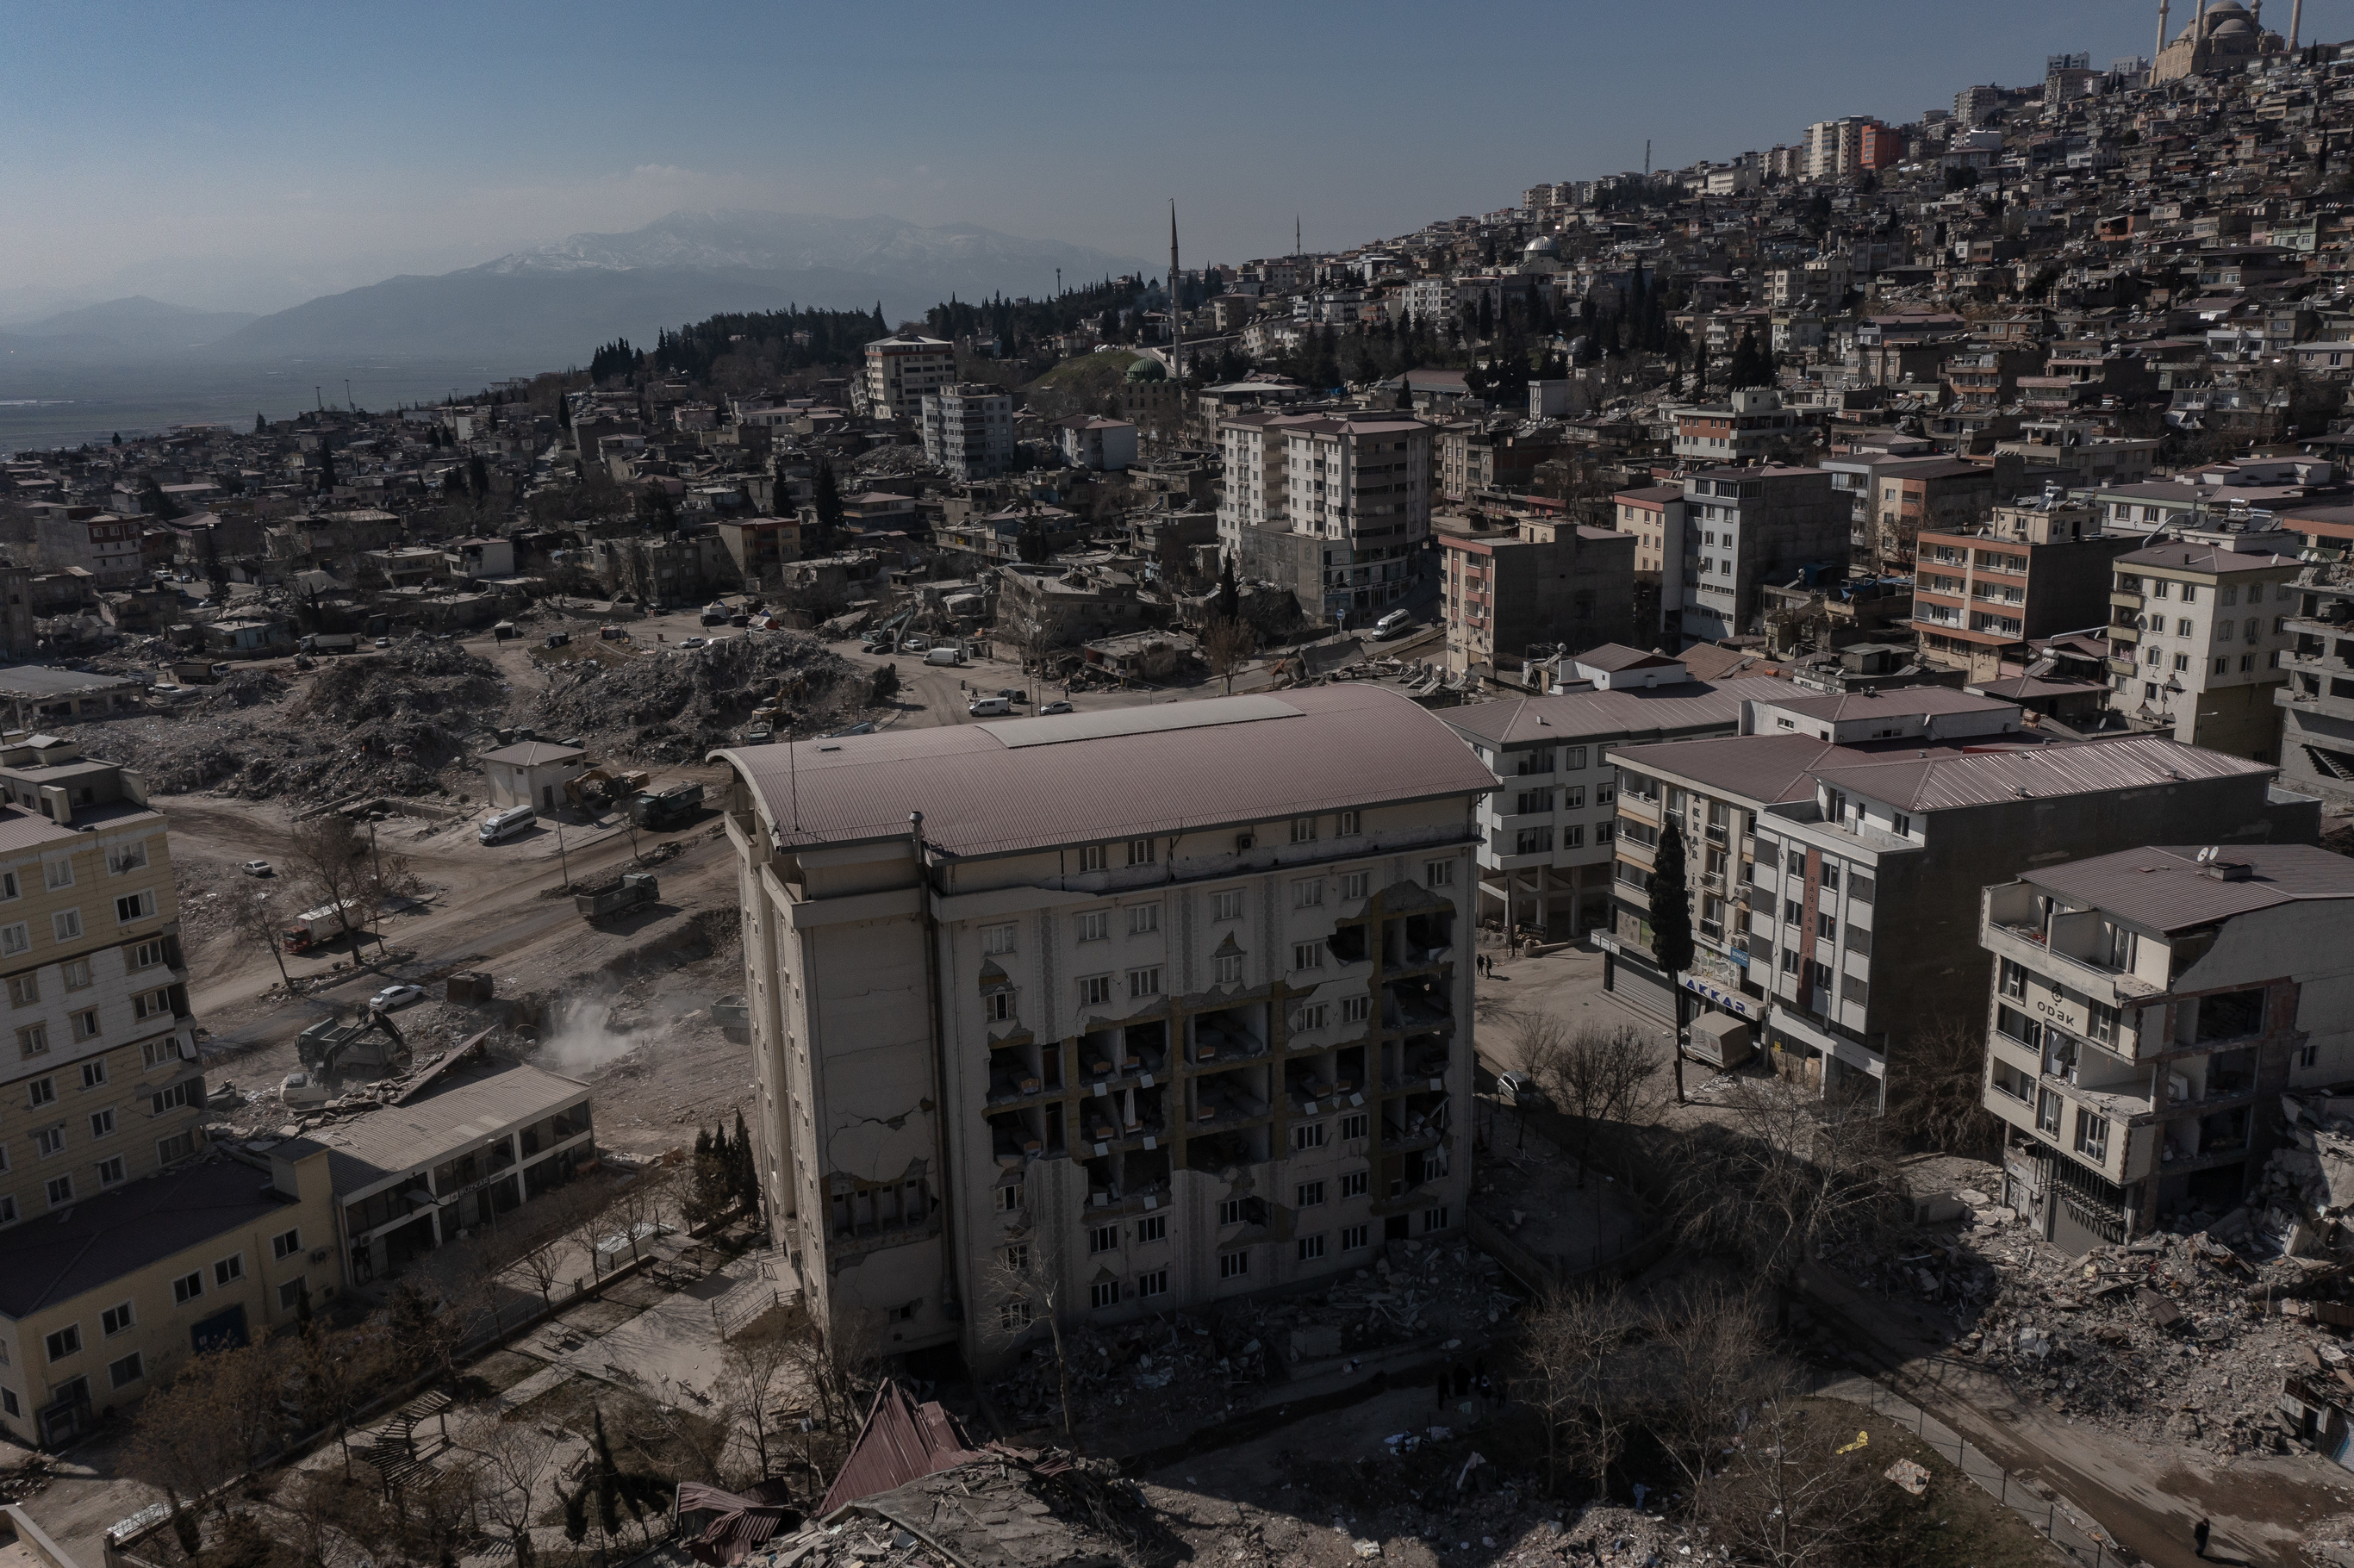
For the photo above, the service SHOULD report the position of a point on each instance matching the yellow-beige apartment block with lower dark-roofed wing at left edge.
(117, 1270)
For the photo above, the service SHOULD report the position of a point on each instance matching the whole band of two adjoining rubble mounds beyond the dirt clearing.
(408, 719)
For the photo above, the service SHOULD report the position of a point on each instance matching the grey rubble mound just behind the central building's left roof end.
(679, 703)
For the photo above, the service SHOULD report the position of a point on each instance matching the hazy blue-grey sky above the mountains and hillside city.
(248, 157)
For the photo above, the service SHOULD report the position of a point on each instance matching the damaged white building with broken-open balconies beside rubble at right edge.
(2146, 1009)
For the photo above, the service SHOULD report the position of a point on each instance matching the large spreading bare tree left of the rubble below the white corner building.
(1781, 1176)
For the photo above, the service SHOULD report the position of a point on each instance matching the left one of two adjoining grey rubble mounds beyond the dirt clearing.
(385, 724)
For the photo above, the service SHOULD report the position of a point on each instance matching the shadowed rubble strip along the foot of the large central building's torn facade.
(1206, 1362)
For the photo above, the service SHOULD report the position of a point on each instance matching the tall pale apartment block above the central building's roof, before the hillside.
(1341, 517)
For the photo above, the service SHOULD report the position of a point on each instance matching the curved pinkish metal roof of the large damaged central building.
(1126, 773)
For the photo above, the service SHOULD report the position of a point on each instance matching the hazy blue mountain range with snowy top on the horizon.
(543, 310)
